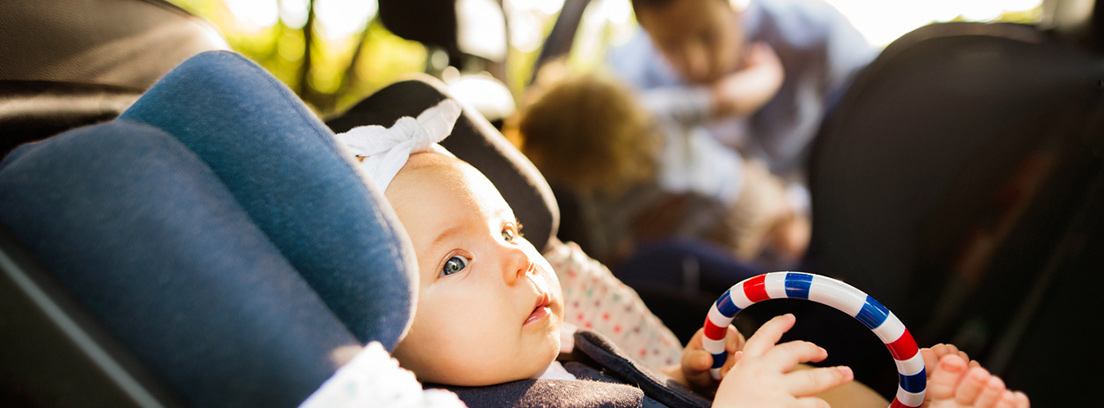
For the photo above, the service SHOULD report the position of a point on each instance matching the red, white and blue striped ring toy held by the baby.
(912, 380)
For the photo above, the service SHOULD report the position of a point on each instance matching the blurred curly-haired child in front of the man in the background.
(590, 135)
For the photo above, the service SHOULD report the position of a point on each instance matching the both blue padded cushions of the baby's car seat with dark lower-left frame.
(213, 238)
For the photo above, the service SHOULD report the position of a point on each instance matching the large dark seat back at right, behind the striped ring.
(950, 180)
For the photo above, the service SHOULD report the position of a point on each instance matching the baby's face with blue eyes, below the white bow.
(490, 307)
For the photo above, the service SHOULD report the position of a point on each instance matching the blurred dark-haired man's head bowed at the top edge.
(702, 39)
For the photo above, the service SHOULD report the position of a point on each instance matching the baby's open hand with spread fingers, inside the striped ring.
(765, 374)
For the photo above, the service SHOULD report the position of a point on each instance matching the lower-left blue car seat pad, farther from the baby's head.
(144, 235)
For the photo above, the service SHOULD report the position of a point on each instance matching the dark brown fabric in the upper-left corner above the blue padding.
(69, 63)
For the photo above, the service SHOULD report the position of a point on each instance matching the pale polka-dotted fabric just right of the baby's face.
(597, 300)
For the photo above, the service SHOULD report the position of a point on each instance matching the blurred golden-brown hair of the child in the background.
(587, 132)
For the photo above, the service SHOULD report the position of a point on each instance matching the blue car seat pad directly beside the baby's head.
(284, 168)
